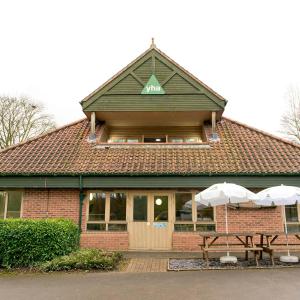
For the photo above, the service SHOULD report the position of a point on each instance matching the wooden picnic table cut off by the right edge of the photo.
(269, 245)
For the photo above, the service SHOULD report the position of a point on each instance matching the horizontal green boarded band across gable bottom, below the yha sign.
(199, 102)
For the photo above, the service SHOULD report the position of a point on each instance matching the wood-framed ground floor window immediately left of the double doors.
(107, 212)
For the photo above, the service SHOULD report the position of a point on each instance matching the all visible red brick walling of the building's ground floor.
(65, 203)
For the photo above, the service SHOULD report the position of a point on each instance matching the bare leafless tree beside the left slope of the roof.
(21, 119)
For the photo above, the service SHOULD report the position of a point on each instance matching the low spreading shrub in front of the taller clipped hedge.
(85, 259)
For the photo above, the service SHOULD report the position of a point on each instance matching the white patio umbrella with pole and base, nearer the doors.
(223, 194)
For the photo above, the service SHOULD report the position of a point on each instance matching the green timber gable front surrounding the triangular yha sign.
(173, 79)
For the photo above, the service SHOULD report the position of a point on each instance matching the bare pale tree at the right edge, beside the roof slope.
(290, 121)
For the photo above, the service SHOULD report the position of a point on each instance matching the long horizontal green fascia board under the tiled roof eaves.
(138, 182)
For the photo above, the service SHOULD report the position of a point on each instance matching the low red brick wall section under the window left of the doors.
(105, 240)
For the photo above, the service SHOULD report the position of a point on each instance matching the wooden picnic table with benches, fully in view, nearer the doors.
(244, 243)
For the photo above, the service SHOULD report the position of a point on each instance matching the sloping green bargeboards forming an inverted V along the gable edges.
(149, 54)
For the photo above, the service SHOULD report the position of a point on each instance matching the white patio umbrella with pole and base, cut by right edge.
(281, 195)
